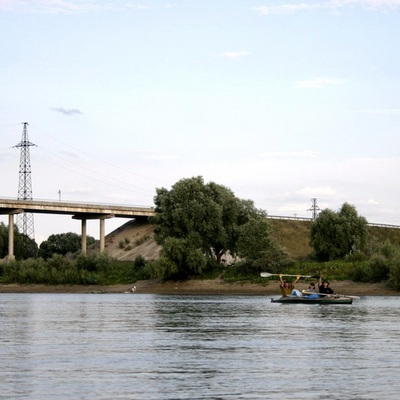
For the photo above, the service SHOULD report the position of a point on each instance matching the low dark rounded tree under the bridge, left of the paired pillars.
(63, 244)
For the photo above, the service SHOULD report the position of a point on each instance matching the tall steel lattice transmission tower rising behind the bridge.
(25, 220)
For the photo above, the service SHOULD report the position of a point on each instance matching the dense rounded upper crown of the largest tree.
(204, 214)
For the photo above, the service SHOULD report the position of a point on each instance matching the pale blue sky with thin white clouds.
(280, 101)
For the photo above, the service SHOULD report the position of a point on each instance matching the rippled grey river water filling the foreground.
(138, 346)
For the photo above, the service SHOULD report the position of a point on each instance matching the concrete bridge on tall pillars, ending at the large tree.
(80, 211)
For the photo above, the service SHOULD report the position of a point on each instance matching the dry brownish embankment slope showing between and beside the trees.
(136, 238)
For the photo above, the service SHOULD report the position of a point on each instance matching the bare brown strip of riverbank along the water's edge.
(201, 287)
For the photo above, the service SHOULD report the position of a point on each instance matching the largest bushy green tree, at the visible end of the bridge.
(198, 223)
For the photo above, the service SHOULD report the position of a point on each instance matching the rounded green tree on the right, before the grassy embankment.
(336, 234)
